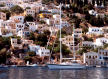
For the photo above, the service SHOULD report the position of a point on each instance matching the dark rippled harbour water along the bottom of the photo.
(45, 73)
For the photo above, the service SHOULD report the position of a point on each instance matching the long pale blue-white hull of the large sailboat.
(60, 66)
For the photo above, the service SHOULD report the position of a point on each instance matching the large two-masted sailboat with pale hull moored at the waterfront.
(66, 65)
